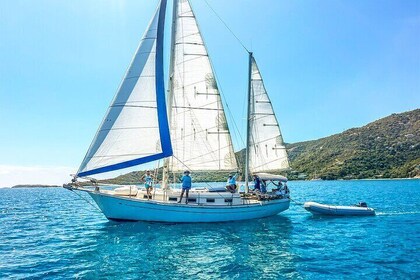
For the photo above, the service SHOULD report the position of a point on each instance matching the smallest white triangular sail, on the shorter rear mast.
(266, 148)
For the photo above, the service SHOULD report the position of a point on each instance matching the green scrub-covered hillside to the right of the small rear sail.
(386, 148)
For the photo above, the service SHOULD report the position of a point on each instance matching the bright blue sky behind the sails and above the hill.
(327, 65)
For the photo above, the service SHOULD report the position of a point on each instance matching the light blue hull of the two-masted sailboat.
(123, 208)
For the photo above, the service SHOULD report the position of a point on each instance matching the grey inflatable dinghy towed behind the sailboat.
(323, 209)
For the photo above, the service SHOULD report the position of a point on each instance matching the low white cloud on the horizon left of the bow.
(11, 175)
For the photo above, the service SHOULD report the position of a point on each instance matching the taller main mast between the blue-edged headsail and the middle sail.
(165, 174)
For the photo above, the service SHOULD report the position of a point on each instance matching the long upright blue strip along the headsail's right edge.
(165, 135)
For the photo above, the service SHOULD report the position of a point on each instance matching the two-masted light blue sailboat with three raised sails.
(186, 128)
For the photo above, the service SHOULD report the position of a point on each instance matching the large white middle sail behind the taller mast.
(199, 130)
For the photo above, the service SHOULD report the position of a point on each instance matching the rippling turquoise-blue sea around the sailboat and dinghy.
(53, 234)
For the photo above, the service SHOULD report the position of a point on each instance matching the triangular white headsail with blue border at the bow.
(135, 128)
